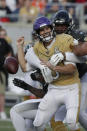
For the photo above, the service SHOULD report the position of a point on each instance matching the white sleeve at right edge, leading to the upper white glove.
(73, 58)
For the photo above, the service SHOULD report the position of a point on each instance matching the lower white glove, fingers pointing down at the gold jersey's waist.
(46, 72)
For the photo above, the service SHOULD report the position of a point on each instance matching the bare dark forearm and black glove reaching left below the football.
(20, 83)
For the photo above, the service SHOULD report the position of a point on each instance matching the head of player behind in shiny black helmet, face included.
(61, 22)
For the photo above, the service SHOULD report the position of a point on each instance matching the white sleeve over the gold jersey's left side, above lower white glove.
(32, 59)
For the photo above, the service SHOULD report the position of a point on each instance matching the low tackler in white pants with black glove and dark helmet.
(27, 109)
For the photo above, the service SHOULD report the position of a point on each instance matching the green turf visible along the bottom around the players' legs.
(7, 125)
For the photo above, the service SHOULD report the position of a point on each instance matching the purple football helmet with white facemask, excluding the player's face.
(42, 22)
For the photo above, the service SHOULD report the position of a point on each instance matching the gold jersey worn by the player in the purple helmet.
(62, 43)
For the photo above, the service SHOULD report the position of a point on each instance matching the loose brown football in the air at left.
(11, 65)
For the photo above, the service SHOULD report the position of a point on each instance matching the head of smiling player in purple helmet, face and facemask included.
(43, 34)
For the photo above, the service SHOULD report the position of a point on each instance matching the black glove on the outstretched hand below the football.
(20, 83)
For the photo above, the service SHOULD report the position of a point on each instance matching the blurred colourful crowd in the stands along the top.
(28, 10)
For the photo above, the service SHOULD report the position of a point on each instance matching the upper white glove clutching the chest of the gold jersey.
(56, 58)
